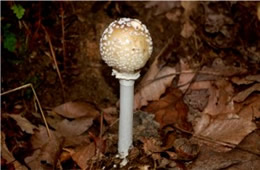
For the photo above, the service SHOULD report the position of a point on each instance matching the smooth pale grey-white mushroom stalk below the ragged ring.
(126, 117)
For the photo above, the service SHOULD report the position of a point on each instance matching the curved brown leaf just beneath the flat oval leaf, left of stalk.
(75, 127)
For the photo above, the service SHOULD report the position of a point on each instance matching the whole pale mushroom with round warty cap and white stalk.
(126, 45)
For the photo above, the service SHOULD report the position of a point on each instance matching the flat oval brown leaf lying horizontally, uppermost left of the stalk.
(76, 110)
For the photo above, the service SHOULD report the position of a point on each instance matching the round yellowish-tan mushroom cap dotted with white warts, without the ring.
(126, 45)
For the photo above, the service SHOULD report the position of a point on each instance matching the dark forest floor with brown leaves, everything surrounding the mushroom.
(197, 102)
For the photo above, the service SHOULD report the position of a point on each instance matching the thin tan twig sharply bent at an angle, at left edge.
(37, 100)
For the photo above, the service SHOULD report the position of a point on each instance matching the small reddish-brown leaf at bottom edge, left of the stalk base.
(84, 154)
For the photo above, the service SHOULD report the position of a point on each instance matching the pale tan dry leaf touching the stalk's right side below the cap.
(151, 88)
